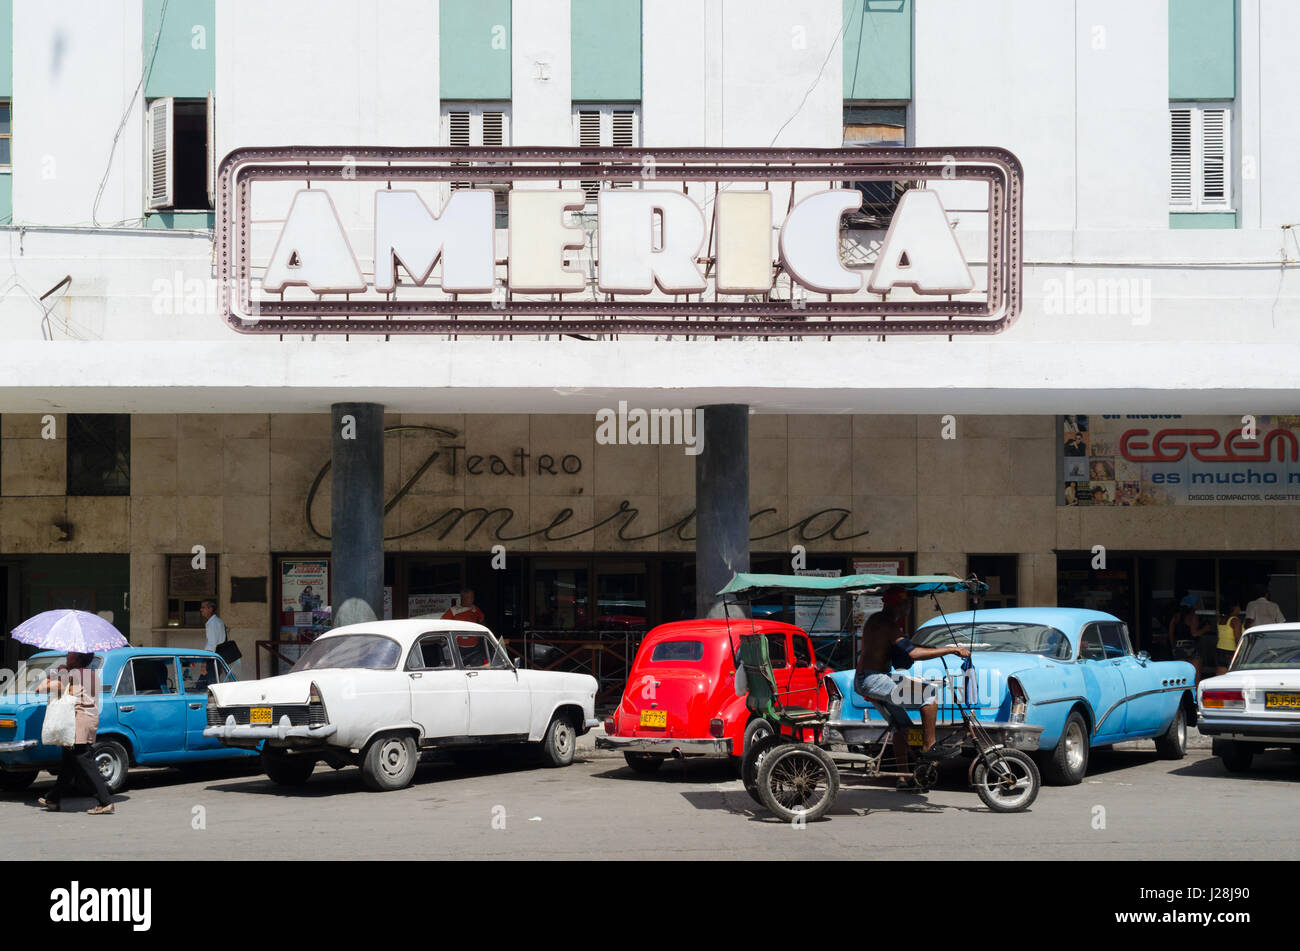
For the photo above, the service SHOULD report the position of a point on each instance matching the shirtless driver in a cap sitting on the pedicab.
(885, 646)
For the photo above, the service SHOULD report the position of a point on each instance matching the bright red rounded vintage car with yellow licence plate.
(681, 698)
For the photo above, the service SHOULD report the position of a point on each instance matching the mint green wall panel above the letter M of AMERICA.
(474, 49)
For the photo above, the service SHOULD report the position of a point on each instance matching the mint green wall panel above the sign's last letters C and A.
(878, 50)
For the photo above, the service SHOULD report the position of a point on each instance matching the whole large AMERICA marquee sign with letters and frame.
(543, 241)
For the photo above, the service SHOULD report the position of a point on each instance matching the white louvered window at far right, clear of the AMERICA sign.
(1201, 176)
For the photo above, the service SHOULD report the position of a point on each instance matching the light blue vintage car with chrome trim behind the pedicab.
(1058, 681)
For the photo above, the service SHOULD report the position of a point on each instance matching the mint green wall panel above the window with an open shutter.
(185, 64)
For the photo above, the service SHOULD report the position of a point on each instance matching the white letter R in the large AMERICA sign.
(630, 262)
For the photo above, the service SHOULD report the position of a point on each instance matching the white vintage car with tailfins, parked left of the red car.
(376, 694)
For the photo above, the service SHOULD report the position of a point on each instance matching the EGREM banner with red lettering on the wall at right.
(1181, 461)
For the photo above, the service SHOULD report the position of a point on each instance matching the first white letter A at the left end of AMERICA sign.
(313, 250)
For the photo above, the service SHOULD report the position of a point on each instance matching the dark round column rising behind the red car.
(722, 505)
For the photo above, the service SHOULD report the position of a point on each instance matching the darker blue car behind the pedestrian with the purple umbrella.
(154, 714)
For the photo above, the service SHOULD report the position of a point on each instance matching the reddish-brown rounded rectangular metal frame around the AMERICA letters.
(686, 315)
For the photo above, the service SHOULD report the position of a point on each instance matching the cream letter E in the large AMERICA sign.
(539, 240)
